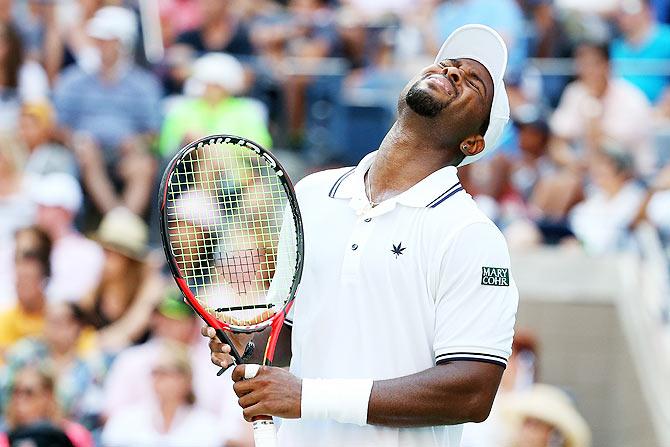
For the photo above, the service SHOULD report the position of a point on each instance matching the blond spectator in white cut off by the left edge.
(15, 207)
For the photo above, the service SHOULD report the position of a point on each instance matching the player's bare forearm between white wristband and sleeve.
(444, 395)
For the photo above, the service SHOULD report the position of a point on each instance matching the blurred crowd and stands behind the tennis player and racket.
(96, 346)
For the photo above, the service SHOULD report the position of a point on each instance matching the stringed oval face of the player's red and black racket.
(231, 232)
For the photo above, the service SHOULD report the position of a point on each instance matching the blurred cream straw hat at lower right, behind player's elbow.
(552, 406)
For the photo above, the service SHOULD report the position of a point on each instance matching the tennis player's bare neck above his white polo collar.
(405, 158)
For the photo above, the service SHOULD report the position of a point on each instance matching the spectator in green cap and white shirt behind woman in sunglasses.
(129, 380)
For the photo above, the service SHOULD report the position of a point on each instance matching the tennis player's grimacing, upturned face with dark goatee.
(456, 92)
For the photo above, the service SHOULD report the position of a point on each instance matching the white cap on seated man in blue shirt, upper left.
(114, 22)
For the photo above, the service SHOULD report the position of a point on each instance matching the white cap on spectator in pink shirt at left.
(58, 190)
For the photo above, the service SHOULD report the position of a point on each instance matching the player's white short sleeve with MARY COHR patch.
(476, 298)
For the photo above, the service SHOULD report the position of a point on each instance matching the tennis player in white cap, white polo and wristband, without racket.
(406, 308)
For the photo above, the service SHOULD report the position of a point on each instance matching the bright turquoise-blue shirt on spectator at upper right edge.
(655, 49)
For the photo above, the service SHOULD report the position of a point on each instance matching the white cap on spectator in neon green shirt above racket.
(219, 69)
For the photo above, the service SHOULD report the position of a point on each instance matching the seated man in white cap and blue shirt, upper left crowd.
(111, 115)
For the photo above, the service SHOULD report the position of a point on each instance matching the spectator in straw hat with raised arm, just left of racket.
(120, 306)
